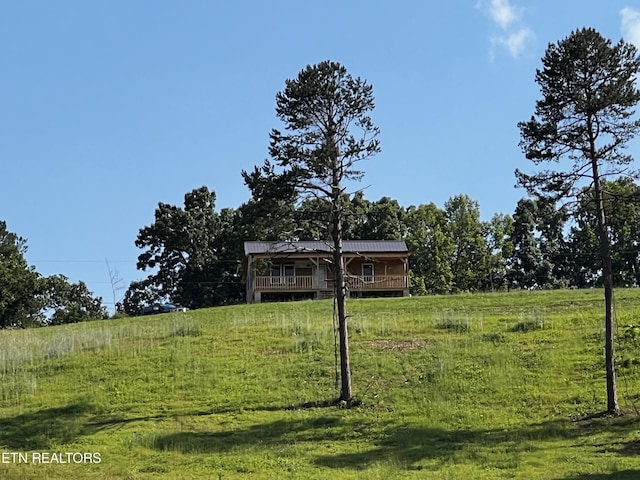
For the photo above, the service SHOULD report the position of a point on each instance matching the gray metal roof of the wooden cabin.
(348, 246)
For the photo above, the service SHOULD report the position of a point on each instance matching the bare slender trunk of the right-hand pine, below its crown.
(607, 280)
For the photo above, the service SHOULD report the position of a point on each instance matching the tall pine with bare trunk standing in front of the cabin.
(328, 130)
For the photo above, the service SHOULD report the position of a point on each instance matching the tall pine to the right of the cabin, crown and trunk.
(582, 123)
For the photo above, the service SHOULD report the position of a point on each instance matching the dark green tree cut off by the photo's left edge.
(19, 283)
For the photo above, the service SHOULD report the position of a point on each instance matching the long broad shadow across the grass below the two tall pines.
(404, 446)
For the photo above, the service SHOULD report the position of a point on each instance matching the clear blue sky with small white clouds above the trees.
(109, 107)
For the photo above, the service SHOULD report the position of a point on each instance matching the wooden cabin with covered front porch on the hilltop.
(276, 271)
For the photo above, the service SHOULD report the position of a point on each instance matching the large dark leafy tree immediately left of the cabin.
(187, 248)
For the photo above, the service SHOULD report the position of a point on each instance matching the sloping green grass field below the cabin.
(473, 386)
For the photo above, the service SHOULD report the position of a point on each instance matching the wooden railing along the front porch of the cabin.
(309, 282)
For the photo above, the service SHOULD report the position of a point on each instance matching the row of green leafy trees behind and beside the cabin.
(196, 252)
